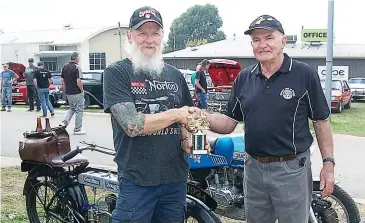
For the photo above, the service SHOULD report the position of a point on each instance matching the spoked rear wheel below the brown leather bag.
(42, 195)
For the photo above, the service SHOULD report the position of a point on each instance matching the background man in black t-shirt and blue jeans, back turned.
(42, 80)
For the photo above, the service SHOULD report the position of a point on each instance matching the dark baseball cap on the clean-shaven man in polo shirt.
(265, 22)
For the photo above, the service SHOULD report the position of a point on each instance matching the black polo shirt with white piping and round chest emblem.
(276, 110)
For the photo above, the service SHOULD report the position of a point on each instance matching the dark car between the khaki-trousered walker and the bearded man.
(93, 87)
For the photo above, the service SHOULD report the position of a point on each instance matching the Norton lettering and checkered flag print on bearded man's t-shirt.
(142, 87)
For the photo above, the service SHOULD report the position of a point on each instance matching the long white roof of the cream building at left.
(62, 36)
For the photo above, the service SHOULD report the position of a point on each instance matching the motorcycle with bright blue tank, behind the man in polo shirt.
(221, 176)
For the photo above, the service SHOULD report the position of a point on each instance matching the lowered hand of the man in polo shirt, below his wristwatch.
(327, 179)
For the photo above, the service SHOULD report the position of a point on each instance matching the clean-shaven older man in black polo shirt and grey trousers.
(275, 98)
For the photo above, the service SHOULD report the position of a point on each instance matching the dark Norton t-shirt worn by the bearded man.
(148, 159)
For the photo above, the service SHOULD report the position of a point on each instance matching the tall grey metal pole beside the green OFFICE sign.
(329, 58)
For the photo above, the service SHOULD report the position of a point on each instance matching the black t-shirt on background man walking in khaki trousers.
(70, 73)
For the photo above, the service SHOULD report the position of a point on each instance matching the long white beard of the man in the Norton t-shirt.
(151, 66)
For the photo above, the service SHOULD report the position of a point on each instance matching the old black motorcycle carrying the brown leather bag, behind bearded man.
(56, 191)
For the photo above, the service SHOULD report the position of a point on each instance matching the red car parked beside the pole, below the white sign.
(341, 95)
